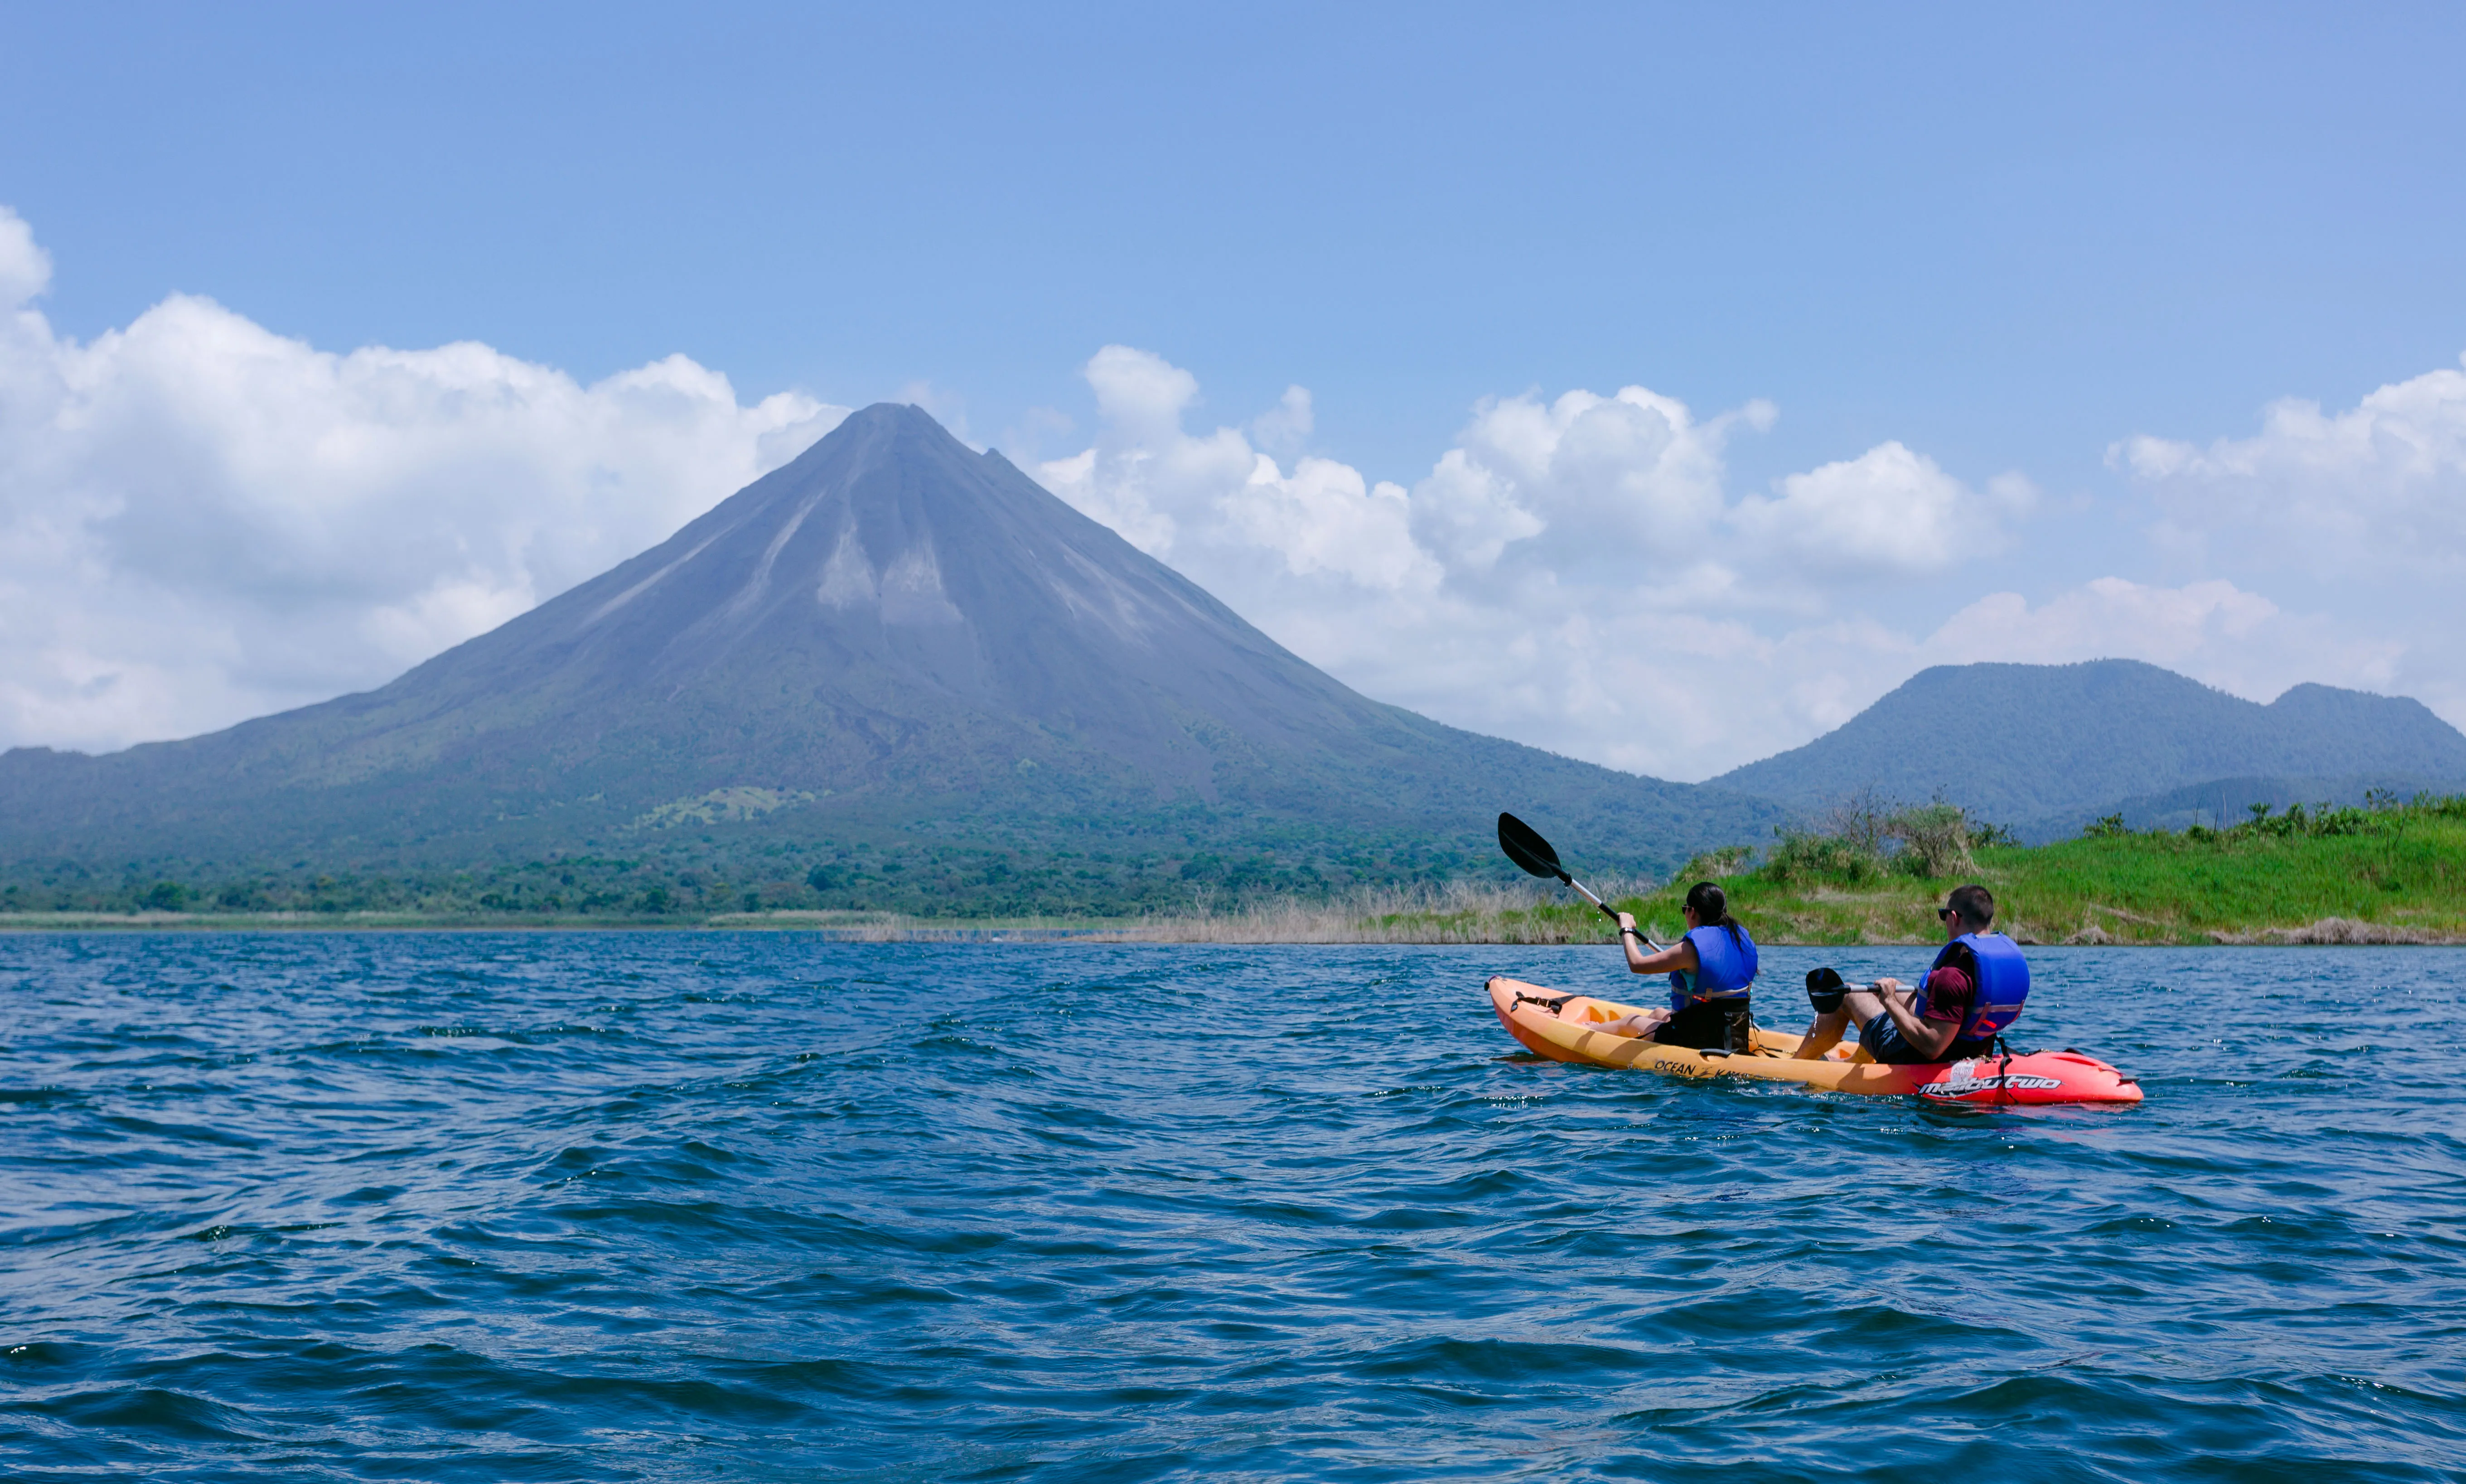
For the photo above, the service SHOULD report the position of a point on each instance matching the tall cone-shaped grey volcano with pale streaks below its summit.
(889, 640)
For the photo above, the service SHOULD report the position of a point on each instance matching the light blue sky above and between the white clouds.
(2006, 243)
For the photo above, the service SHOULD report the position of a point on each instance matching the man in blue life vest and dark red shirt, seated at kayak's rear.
(1972, 992)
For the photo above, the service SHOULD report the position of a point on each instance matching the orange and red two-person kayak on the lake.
(1565, 1032)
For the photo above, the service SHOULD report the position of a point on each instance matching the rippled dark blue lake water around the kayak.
(704, 1207)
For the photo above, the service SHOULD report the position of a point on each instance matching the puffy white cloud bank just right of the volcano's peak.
(1572, 573)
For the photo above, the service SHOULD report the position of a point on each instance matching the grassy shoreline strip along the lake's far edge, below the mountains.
(2393, 874)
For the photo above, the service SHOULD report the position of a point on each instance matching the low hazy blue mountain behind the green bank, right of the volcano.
(2048, 748)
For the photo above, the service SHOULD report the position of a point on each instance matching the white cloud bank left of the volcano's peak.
(203, 521)
